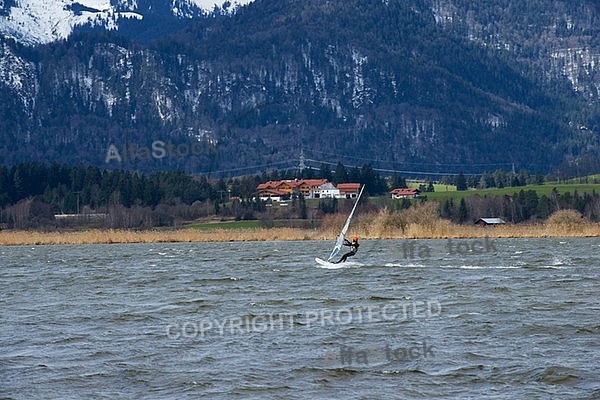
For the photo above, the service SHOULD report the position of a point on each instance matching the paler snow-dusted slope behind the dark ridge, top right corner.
(557, 39)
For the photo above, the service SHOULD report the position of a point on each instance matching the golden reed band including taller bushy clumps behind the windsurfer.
(414, 223)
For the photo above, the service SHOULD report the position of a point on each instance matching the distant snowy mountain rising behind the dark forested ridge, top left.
(43, 21)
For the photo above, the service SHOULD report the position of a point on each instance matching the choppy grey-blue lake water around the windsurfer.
(503, 319)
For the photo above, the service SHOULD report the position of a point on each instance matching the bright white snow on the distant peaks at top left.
(42, 21)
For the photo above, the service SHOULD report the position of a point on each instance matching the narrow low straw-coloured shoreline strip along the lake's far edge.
(437, 231)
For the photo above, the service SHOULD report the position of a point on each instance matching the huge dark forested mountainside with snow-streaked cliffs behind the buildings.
(437, 86)
